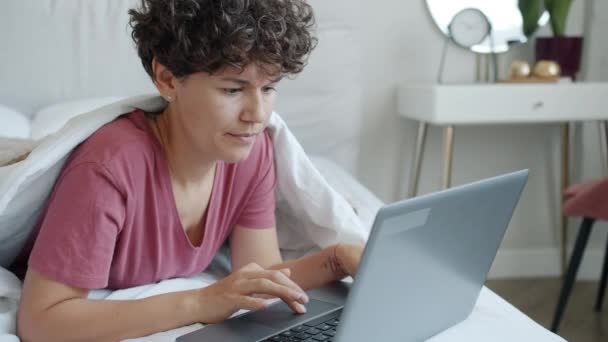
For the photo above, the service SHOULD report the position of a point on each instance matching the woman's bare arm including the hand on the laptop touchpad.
(52, 311)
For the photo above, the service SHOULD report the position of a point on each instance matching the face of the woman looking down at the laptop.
(223, 114)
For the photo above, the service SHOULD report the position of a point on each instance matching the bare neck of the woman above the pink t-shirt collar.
(186, 166)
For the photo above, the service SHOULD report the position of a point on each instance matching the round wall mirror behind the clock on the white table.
(504, 16)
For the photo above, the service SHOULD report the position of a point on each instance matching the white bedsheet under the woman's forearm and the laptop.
(493, 319)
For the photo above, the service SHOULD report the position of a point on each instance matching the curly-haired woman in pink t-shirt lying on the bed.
(152, 196)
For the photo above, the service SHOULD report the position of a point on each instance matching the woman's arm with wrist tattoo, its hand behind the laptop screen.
(261, 246)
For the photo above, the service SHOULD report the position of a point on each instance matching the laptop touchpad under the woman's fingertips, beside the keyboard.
(280, 316)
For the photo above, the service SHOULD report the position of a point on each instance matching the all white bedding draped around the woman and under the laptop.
(313, 211)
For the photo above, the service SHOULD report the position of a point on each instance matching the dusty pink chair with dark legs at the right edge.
(588, 200)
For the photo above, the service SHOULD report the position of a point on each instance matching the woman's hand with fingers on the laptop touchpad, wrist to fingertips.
(246, 289)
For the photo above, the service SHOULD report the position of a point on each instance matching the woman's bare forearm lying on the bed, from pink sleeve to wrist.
(52, 311)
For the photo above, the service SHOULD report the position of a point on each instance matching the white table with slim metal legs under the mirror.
(493, 104)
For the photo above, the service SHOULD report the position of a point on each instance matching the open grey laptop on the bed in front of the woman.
(421, 272)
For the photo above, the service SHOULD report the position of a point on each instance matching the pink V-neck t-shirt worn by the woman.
(111, 219)
